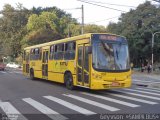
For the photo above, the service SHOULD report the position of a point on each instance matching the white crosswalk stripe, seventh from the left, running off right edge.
(140, 95)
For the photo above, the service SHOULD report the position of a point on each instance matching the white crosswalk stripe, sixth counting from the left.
(134, 99)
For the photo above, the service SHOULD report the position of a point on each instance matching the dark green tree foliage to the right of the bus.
(140, 38)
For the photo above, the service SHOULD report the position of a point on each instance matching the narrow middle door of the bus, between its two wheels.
(45, 64)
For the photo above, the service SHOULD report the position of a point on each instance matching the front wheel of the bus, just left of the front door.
(69, 81)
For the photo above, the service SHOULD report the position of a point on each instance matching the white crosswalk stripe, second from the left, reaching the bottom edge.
(44, 109)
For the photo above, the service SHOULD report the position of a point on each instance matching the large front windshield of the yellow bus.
(110, 56)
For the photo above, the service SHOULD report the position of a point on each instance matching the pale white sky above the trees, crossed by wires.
(92, 14)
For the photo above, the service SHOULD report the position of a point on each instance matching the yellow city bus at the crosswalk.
(95, 61)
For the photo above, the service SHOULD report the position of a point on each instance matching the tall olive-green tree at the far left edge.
(13, 28)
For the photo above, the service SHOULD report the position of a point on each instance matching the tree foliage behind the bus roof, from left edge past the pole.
(20, 27)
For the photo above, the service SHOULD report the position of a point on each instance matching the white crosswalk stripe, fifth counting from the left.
(113, 100)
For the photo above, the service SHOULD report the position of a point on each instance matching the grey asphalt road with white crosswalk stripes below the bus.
(24, 99)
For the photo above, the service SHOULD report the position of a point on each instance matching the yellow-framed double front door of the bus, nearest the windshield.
(83, 66)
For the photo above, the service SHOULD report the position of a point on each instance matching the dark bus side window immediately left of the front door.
(70, 51)
